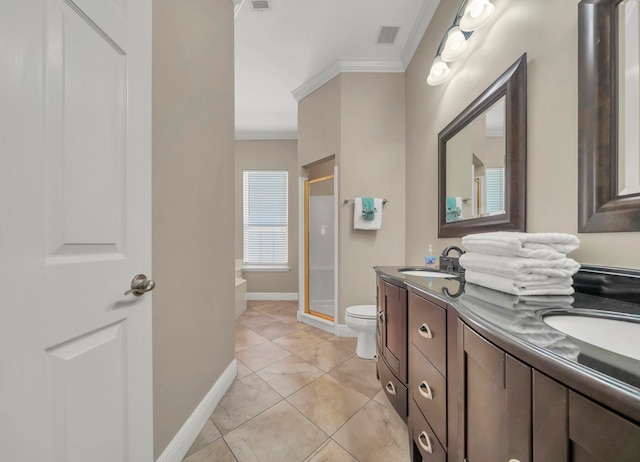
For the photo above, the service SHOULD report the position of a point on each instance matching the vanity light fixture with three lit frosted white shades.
(471, 15)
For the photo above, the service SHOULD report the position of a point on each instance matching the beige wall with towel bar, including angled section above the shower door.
(369, 143)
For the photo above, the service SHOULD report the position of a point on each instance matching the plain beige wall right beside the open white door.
(193, 125)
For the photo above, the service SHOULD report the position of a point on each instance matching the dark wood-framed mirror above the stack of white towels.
(482, 160)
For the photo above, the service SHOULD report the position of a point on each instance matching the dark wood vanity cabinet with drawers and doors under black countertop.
(471, 395)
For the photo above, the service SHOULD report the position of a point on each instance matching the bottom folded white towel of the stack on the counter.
(552, 286)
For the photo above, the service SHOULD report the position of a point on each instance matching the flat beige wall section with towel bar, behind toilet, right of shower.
(371, 163)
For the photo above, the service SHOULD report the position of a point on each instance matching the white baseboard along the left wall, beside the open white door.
(182, 442)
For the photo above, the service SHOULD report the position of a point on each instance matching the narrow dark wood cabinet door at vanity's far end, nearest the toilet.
(395, 329)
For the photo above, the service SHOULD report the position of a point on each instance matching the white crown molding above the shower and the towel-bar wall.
(346, 65)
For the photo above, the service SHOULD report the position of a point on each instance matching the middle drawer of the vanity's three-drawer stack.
(429, 390)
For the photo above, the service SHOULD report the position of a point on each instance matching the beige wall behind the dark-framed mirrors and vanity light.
(547, 31)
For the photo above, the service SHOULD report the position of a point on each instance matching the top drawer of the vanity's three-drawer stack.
(428, 332)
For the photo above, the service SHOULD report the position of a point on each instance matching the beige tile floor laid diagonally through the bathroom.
(301, 395)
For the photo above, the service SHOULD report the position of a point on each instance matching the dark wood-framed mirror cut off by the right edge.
(608, 107)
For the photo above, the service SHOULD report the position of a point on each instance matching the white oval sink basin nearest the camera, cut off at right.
(616, 335)
